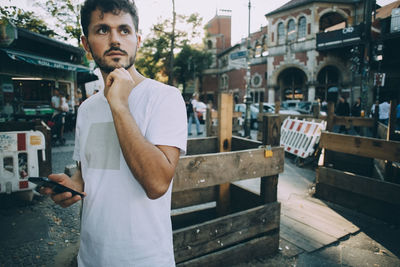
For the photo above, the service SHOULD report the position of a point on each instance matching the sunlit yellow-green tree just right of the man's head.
(156, 51)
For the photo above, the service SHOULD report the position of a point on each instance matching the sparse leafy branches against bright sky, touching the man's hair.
(67, 15)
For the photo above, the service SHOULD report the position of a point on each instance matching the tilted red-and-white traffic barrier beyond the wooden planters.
(299, 137)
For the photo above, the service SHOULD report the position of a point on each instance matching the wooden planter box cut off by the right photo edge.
(378, 198)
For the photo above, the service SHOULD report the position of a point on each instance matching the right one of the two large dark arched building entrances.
(328, 77)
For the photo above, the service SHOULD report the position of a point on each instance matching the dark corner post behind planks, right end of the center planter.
(271, 137)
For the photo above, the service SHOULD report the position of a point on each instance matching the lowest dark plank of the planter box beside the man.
(257, 247)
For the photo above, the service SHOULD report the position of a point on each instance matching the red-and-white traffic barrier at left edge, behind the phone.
(19, 159)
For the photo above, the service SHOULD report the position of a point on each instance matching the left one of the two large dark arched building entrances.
(292, 83)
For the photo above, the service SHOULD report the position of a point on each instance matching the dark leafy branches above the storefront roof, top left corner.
(26, 20)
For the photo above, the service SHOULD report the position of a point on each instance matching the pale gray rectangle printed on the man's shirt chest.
(102, 150)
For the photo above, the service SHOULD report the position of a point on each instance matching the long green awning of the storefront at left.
(46, 62)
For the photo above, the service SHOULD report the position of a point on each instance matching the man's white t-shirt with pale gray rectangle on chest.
(120, 225)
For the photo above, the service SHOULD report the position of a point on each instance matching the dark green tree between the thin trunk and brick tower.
(190, 63)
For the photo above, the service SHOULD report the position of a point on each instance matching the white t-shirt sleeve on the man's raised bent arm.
(168, 122)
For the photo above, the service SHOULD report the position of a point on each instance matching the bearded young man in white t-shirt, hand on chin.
(128, 140)
